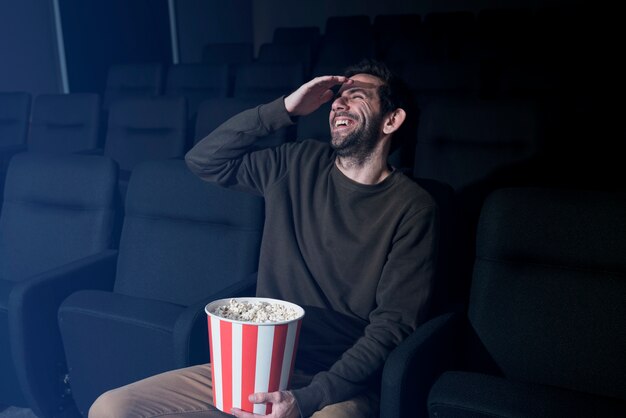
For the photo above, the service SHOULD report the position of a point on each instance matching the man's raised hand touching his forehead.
(310, 96)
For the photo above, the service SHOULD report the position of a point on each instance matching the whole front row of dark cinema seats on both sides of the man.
(542, 334)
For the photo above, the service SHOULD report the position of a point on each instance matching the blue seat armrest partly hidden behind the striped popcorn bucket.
(191, 336)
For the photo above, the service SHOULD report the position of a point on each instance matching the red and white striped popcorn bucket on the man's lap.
(249, 357)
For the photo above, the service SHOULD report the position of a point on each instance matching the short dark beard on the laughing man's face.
(359, 144)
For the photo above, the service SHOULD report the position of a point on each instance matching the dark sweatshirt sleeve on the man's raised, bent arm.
(225, 155)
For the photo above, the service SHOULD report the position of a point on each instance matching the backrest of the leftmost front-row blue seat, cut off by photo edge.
(57, 208)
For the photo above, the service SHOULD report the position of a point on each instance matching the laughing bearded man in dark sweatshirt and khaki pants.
(347, 237)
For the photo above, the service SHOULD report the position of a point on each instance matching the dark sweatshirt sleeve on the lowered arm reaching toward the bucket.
(402, 300)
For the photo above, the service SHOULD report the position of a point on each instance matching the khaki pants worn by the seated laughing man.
(188, 392)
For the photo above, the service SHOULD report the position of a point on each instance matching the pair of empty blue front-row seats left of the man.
(125, 309)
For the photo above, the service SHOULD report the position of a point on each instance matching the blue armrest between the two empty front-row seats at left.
(35, 337)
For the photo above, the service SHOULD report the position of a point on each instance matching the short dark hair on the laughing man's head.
(392, 92)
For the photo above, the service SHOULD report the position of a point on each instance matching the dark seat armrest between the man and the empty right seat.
(415, 364)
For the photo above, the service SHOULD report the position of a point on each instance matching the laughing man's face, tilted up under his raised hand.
(355, 118)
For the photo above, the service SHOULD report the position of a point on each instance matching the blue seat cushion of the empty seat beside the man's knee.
(112, 340)
